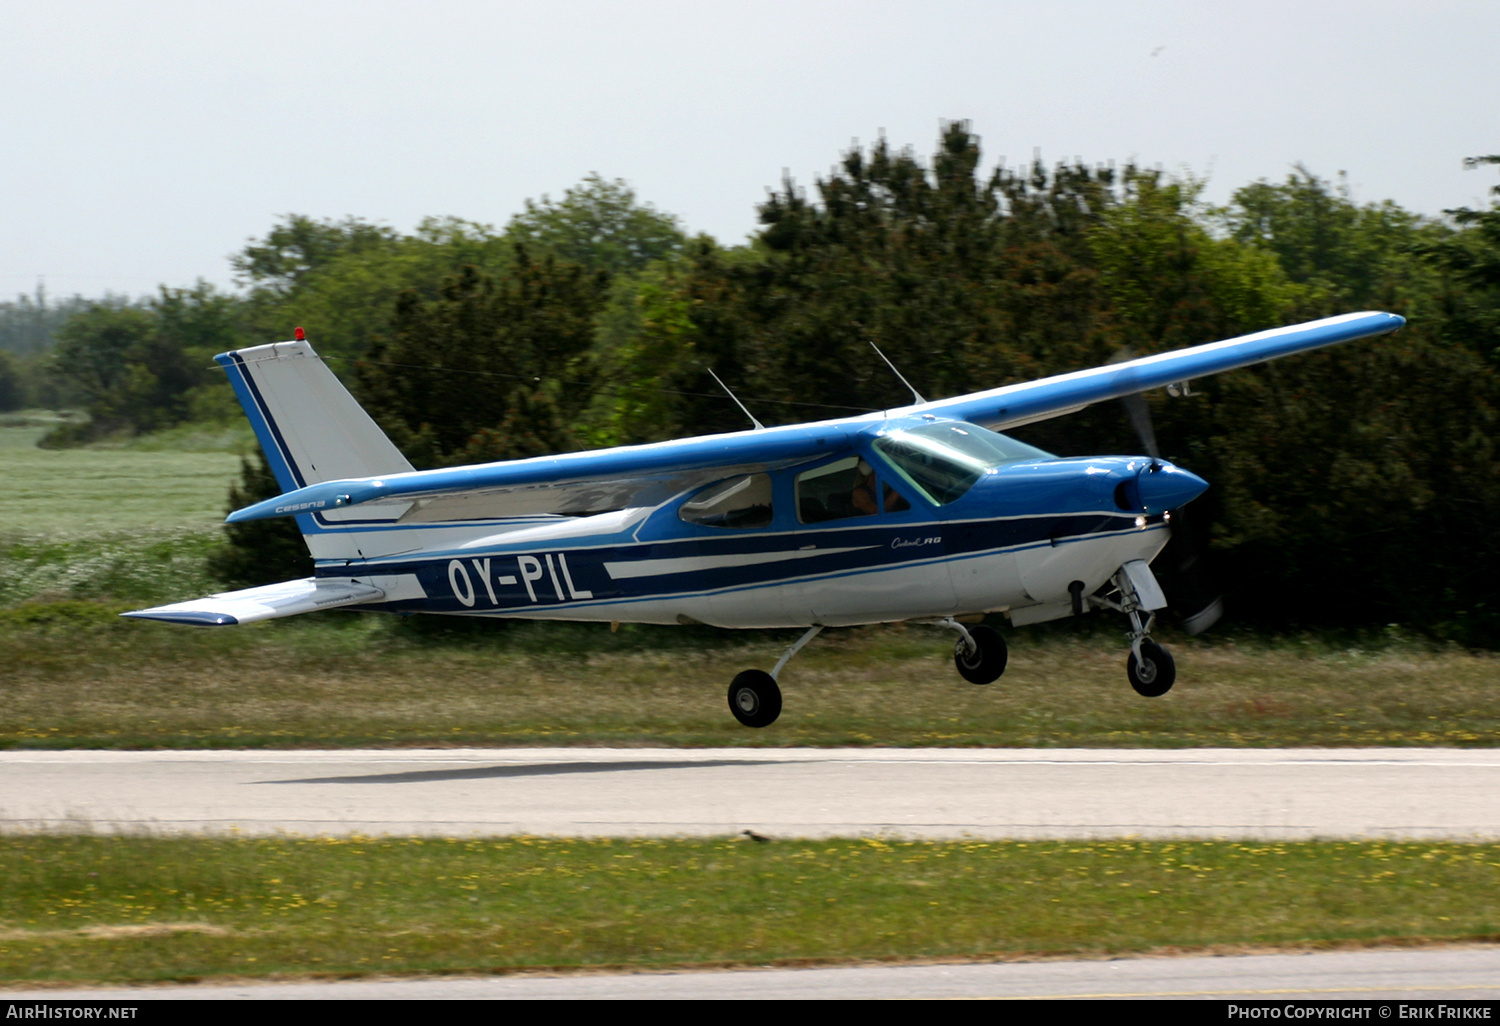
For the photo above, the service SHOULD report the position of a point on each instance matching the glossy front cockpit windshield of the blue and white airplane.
(944, 460)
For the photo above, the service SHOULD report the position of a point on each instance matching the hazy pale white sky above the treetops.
(143, 142)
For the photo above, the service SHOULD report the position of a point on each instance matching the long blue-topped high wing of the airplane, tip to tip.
(649, 475)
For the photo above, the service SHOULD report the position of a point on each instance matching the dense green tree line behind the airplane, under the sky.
(1351, 487)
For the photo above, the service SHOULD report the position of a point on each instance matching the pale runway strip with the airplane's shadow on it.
(782, 793)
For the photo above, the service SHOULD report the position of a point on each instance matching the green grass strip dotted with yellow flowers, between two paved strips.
(80, 908)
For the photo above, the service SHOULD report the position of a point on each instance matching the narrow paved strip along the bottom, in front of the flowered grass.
(1456, 974)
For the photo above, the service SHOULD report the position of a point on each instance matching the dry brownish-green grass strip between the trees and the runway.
(73, 674)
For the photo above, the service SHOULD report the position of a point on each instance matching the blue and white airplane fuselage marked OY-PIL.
(1013, 542)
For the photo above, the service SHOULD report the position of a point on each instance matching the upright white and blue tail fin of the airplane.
(314, 431)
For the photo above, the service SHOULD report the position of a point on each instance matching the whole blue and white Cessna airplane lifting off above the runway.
(922, 514)
